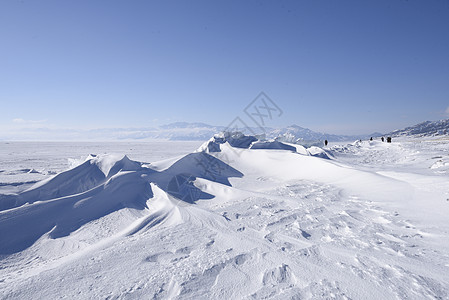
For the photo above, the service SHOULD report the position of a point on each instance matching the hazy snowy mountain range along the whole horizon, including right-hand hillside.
(201, 131)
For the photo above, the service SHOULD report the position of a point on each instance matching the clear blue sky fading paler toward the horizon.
(343, 67)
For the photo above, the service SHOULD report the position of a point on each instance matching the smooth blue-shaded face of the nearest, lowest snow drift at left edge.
(22, 226)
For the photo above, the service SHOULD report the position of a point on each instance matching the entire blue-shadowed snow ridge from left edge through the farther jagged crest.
(105, 184)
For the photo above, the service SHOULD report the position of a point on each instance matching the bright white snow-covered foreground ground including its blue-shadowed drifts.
(247, 220)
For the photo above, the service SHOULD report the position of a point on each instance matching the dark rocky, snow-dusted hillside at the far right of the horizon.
(428, 128)
